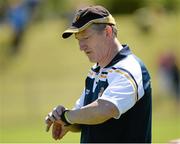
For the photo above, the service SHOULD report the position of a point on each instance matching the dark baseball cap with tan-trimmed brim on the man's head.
(87, 16)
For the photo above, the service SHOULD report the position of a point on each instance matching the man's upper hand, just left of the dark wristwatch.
(53, 116)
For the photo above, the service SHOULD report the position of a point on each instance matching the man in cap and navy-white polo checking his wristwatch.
(116, 103)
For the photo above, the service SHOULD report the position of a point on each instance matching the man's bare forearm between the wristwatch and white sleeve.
(94, 113)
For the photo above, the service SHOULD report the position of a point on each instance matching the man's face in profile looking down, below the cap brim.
(92, 43)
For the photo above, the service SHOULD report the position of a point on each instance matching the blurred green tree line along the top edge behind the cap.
(51, 8)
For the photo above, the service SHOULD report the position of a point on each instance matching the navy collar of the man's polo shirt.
(124, 52)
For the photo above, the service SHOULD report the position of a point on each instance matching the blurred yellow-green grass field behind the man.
(50, 71)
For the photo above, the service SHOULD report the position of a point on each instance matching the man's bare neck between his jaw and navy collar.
(114, 48)
